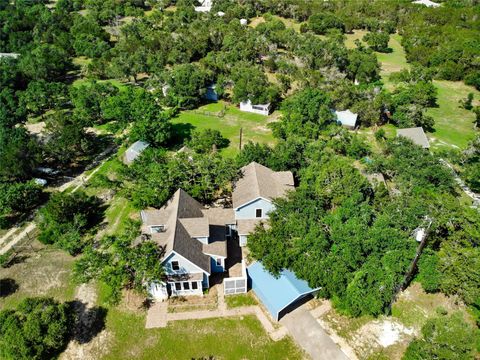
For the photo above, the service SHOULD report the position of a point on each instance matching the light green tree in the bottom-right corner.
(445, 337)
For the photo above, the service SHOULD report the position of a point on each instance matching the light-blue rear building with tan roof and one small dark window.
(253, 196)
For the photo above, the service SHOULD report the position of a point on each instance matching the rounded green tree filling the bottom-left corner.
(39, 328)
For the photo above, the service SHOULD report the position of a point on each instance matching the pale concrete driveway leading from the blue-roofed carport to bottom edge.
(310, 336)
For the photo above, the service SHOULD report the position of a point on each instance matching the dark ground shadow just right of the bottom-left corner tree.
(90, 321)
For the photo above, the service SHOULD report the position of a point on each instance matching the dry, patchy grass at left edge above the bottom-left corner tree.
(39, 271)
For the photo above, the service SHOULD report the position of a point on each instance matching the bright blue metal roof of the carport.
(277, 293)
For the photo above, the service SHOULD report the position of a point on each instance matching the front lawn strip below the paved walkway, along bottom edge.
(222, 338)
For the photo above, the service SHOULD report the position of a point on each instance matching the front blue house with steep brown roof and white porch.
(194, 241)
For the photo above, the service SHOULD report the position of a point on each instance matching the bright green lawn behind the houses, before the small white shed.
(254, 126)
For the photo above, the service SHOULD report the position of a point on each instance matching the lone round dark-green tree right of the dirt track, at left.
(66, 218)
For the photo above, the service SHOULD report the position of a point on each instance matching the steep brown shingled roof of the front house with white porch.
(183, 219)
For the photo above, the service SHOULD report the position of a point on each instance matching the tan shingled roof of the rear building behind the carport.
(258, 181)
